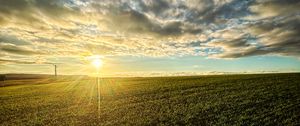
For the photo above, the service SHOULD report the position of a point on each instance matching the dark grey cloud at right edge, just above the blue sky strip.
(281, 37)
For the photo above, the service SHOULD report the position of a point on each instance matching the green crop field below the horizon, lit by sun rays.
(265, 99)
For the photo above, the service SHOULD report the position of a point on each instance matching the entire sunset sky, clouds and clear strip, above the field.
(149, 37)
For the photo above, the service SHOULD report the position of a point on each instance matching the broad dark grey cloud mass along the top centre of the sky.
(167, 17)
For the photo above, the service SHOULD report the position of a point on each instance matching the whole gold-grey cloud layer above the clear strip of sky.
(213, 28)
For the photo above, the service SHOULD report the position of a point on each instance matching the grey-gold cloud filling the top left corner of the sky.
(36, 14)
